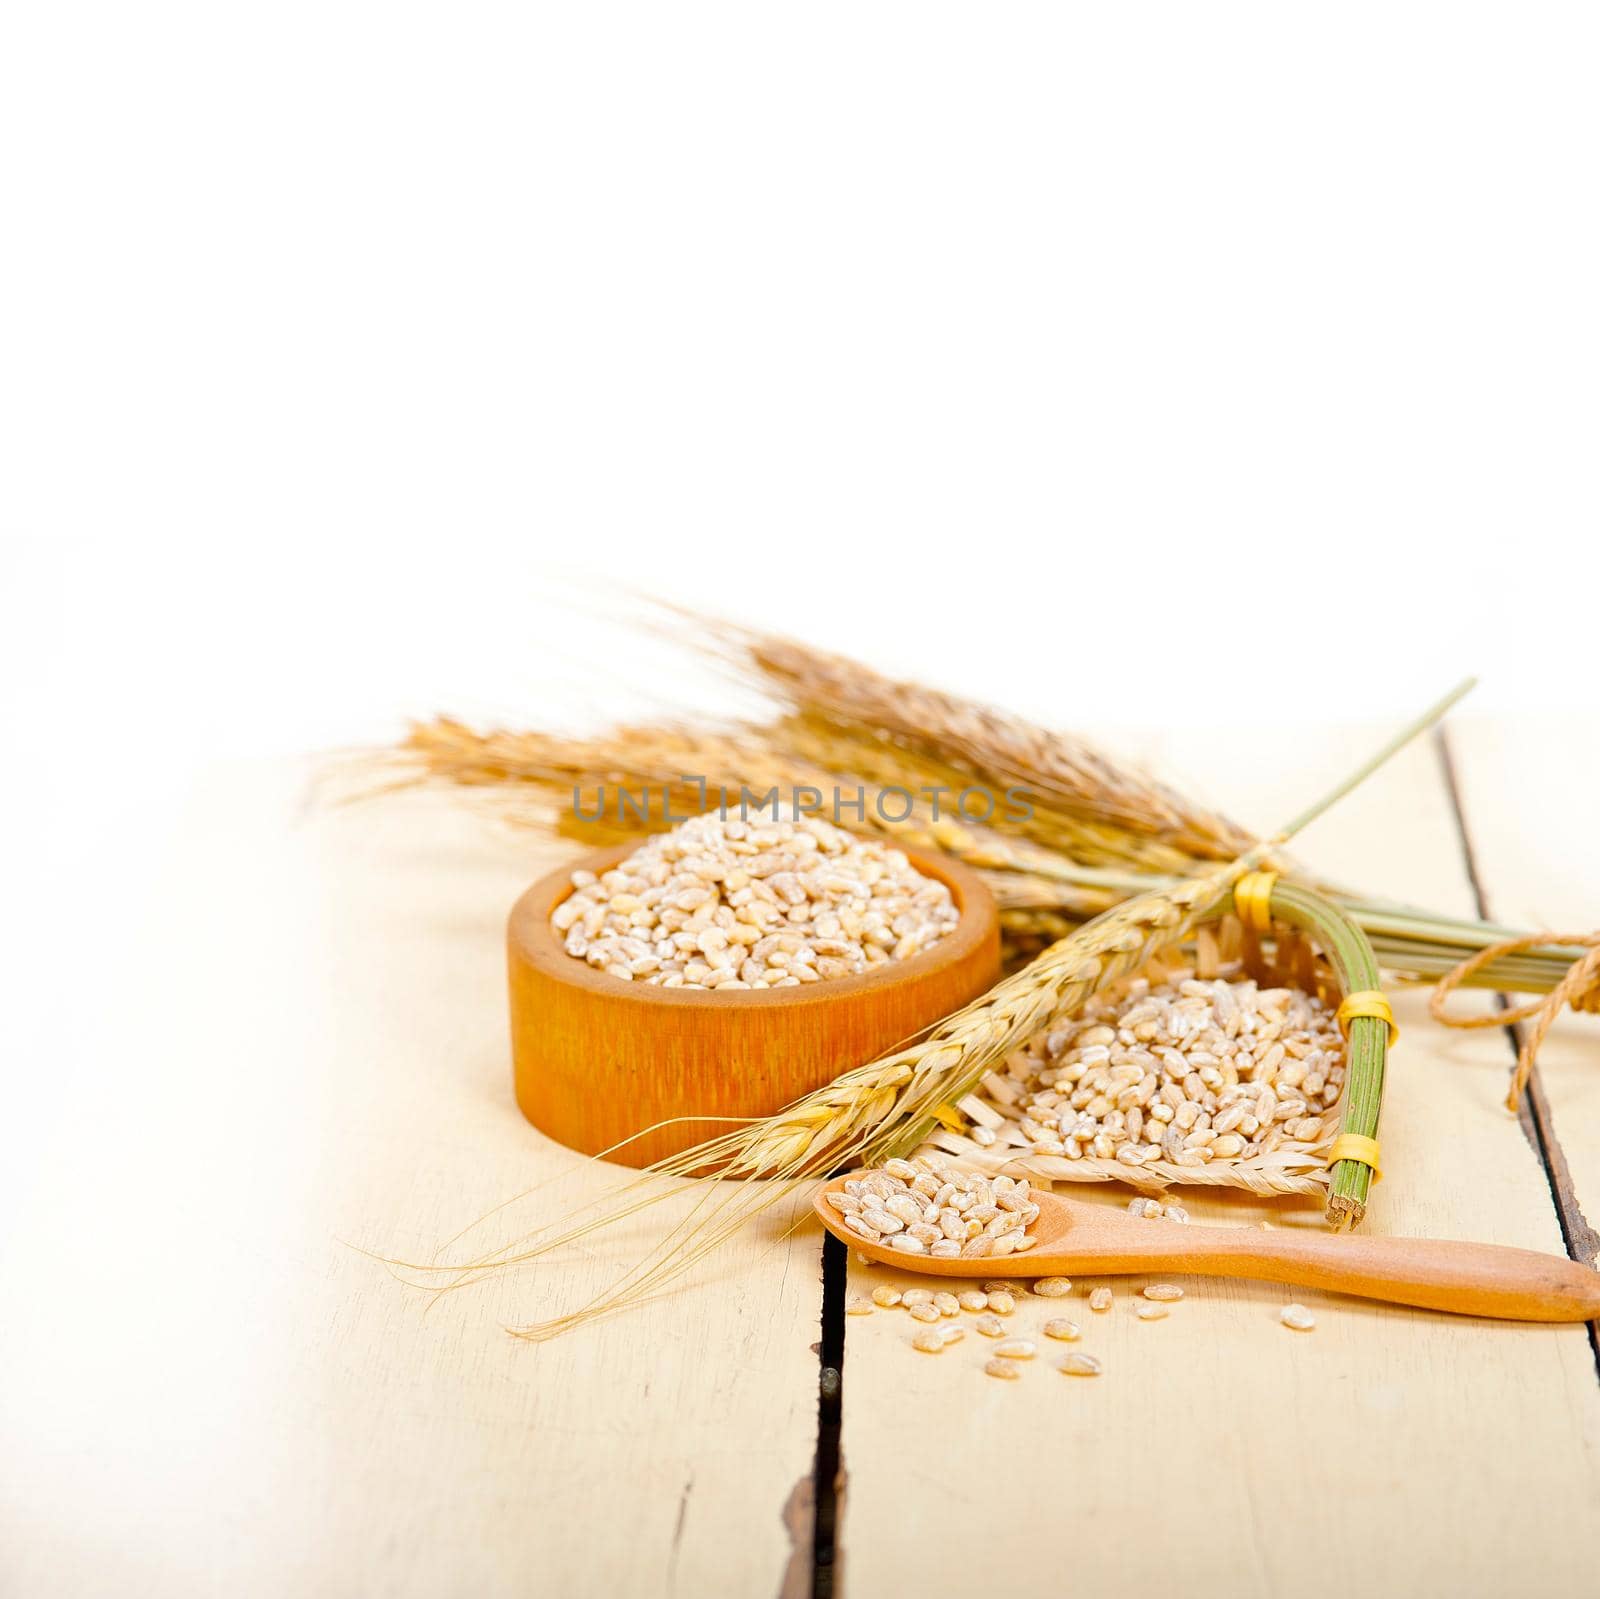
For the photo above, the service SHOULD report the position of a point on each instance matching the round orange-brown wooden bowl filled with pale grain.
(598, 1060)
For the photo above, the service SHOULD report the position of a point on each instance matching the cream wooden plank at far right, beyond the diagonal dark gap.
(1527, 791)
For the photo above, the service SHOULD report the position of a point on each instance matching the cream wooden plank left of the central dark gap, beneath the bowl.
(238, 1401)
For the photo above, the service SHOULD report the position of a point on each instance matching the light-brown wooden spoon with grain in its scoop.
(1074, 1238)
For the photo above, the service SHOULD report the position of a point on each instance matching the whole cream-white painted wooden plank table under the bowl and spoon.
(207, 1389)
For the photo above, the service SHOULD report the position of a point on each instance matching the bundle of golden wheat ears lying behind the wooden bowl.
(1097, 833)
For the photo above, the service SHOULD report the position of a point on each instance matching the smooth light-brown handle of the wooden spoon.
(1473, 1280)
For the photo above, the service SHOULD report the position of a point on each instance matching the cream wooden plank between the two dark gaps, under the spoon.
(1388, 1453)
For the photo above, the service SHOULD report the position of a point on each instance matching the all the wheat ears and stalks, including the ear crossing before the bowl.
(1105, 872)
